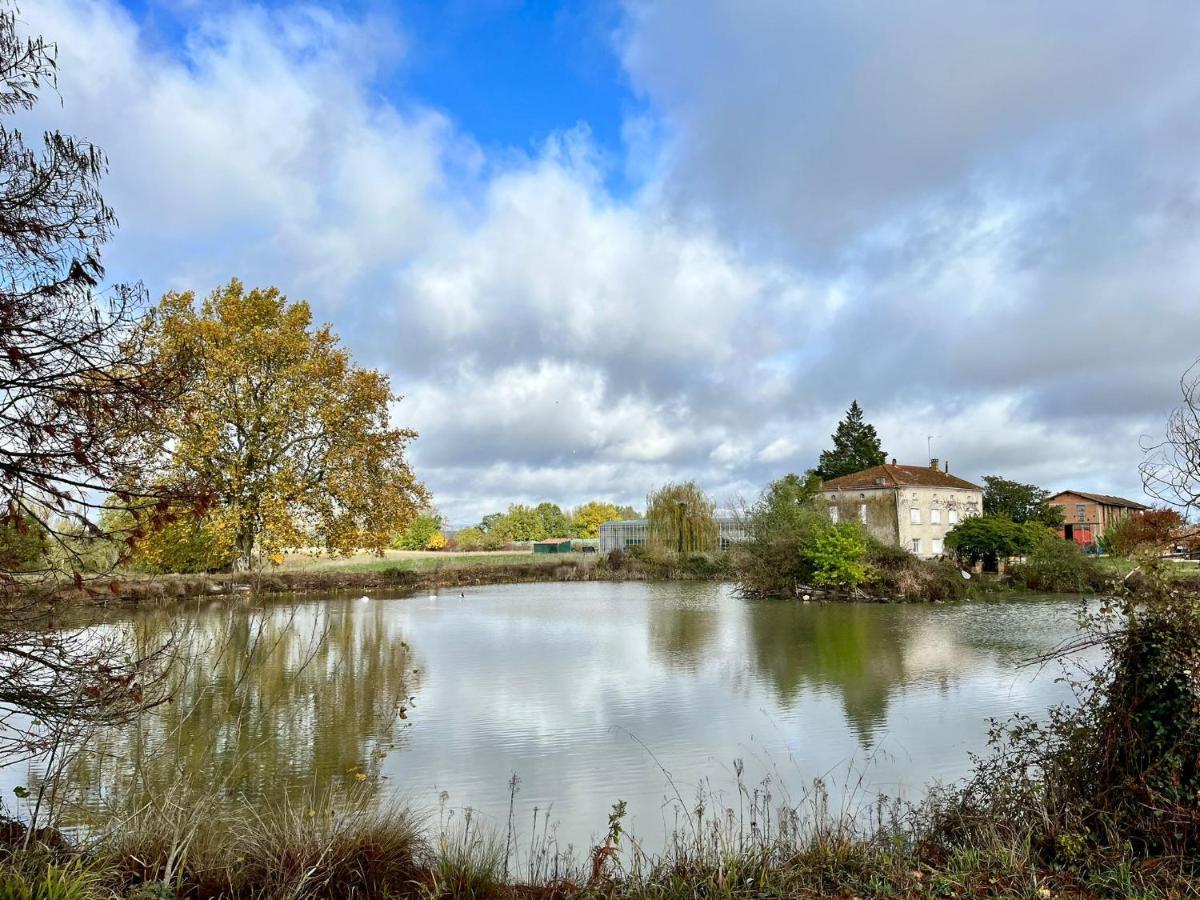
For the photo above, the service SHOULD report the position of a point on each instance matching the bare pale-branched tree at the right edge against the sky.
(1171, 471)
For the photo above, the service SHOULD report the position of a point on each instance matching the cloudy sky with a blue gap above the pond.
(603, 245)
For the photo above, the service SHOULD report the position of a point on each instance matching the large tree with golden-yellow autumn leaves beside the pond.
(292, 440)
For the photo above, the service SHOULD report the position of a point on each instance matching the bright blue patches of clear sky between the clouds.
(508, 73)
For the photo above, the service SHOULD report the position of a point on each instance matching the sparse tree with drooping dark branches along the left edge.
(75, 386)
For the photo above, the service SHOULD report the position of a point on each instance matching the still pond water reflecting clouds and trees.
(590, 694)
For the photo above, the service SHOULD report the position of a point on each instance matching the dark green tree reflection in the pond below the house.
(853, 649)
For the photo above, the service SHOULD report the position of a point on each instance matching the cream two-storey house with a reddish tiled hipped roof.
(909, 507)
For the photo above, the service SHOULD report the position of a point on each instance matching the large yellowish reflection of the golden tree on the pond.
(266, 701)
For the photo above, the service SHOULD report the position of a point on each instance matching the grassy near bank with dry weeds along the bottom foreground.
(345, 847)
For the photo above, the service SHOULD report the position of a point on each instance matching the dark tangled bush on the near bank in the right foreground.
(1118, 769)
